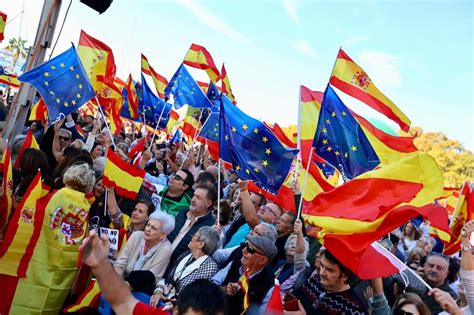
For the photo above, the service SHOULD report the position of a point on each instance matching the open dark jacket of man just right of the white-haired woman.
(180, 219)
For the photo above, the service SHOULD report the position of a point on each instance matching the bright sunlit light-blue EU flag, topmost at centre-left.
(186, 91)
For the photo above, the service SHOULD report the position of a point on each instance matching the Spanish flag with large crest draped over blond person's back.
(53, 265)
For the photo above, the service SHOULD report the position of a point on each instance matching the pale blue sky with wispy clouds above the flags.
(418, 53)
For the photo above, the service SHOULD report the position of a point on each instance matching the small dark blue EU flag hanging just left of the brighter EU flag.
(154, 107)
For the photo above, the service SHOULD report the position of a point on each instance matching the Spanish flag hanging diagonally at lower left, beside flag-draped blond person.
(22, 232)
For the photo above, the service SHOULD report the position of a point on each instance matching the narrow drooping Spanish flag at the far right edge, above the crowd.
(463, 212)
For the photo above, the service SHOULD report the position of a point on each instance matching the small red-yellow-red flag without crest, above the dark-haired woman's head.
(126, 179)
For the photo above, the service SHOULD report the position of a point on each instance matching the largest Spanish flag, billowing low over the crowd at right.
(352, 216)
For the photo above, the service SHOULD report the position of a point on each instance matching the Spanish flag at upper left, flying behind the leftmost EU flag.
(97, 59)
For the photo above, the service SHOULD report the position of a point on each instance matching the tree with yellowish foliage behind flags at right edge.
(455, 162)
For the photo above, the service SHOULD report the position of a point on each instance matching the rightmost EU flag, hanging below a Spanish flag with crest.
(340, 140)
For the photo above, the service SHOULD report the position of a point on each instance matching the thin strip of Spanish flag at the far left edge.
(7, 188)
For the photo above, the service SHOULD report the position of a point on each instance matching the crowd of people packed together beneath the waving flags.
(187, 240)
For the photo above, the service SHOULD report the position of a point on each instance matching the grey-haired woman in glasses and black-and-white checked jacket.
(198, 264)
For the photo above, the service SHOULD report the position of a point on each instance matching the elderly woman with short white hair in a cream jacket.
(148, 251)
